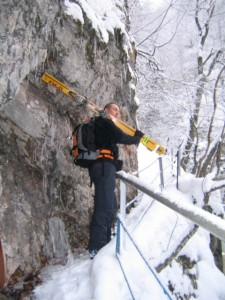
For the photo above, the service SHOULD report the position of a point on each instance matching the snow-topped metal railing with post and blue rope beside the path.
(204, 219)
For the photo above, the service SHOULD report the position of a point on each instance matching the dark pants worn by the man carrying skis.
(103, 175)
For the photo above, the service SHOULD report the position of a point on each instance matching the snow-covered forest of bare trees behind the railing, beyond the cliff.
(181, 69)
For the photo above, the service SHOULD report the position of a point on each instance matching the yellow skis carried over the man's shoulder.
(146, 141)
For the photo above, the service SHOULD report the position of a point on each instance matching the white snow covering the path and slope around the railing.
(157, 231)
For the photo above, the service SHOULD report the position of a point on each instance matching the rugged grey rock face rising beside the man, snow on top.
(46, 201)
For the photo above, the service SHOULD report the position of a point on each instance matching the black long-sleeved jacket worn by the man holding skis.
(107, 135)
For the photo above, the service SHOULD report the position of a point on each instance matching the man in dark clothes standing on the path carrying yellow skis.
(103, 174)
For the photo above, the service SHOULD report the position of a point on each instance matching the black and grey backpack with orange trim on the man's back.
(83, 150)
